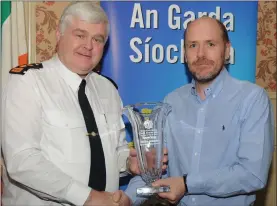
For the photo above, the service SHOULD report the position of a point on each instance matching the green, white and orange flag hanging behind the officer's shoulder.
(13, 41)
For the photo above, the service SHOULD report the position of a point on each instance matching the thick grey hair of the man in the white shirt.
(88, 11)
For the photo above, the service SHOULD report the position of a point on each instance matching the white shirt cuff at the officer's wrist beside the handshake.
(78, 193)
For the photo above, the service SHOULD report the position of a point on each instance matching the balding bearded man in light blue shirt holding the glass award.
(220, 133)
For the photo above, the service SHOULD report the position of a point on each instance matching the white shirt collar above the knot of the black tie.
(71, 78)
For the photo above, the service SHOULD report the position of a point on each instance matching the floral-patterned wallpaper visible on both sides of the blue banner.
(48, 13)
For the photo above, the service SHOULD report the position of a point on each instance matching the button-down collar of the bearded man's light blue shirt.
(216, 86)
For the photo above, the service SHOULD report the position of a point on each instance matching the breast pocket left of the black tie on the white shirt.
(66, 137)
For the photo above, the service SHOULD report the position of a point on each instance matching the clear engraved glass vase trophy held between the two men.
(147, 120)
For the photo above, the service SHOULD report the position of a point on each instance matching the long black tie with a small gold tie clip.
(97, 177)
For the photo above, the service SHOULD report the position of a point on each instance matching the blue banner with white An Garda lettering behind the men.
(145, 49)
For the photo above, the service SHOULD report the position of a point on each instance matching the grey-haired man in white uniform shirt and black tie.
(46, 138)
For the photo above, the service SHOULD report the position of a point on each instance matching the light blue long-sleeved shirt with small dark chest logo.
(223, 143)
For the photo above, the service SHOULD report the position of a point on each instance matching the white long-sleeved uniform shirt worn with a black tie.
(44, 135)
